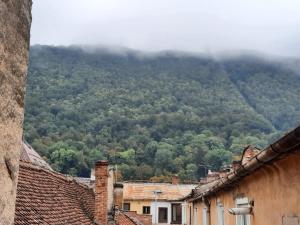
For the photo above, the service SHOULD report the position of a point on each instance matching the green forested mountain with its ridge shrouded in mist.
(154, 114)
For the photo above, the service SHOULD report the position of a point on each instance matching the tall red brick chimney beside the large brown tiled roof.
(101, 192)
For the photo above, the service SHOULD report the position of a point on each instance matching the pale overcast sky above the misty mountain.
(209, 26)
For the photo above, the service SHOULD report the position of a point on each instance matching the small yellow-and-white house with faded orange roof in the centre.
(161, 200)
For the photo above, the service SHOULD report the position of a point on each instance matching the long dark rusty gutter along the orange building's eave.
(285, 145)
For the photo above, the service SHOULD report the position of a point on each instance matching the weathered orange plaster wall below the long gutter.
(274, 189)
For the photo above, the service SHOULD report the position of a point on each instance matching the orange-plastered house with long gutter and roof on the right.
(262, 189)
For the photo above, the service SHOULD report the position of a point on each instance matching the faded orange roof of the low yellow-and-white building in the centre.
(145, 191)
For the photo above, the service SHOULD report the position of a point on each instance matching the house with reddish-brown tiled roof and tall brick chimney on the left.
(48, 197)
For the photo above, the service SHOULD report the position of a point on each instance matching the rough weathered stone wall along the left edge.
(15, 20)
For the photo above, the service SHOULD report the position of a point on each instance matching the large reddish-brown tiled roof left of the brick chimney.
(47, 197)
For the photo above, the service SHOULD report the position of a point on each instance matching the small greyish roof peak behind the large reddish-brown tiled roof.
(28, 154)
